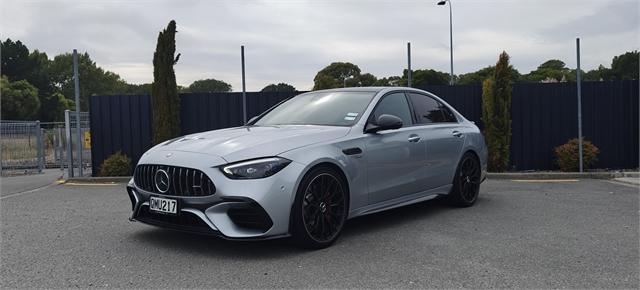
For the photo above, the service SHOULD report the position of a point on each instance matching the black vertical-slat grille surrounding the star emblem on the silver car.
(182, 181)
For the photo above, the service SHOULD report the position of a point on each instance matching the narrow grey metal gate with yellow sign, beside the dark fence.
(78, 164)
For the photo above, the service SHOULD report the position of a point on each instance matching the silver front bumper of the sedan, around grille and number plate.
(240, 209)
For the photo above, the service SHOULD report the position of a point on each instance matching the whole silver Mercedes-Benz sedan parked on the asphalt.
(308, 164)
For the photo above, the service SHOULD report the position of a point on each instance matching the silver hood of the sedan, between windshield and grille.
(241, 143)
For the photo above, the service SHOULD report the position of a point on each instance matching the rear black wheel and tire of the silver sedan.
(466, 182)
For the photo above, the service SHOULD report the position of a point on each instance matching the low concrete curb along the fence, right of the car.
(561, 175)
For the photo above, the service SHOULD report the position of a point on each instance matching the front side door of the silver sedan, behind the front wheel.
(395, 158)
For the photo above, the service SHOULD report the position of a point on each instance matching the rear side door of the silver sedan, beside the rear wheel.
(443, 139)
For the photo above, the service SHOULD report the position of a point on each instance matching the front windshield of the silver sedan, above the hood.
(321, 108)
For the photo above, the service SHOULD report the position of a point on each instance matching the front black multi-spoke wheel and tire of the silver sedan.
(320, 209)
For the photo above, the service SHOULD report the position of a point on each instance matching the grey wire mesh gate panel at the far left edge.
(21, 147)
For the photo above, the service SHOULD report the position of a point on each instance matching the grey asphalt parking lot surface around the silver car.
(581, 234)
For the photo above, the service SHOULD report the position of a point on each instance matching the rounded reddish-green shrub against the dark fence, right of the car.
(567, 155)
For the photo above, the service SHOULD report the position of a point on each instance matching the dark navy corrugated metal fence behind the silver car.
(543, 117)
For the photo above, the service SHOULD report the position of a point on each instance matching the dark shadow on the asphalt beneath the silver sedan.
(278, 248)
